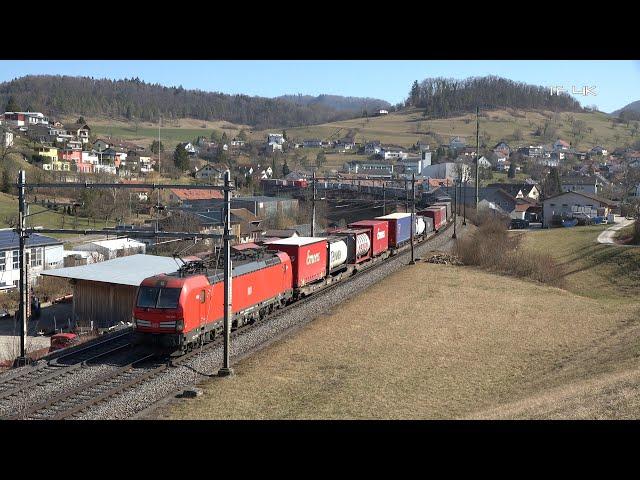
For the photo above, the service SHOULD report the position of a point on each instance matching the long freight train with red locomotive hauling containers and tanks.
(178, 311)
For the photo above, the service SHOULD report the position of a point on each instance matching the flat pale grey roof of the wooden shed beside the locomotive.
(129, 270)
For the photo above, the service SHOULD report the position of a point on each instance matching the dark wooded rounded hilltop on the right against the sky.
(443, 97)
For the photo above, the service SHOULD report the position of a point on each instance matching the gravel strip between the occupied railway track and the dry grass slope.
(140, 400)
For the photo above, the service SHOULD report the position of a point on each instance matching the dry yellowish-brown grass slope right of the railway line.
(459, 342)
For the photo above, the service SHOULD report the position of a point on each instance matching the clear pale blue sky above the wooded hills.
(617, 82)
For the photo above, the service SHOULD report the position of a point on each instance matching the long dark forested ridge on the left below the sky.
(133, 98)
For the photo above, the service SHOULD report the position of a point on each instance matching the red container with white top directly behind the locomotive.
(308, 257)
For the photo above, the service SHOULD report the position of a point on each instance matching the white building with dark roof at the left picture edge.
(43, 253)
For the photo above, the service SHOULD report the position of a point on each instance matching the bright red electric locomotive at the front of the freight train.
(177, 310)
